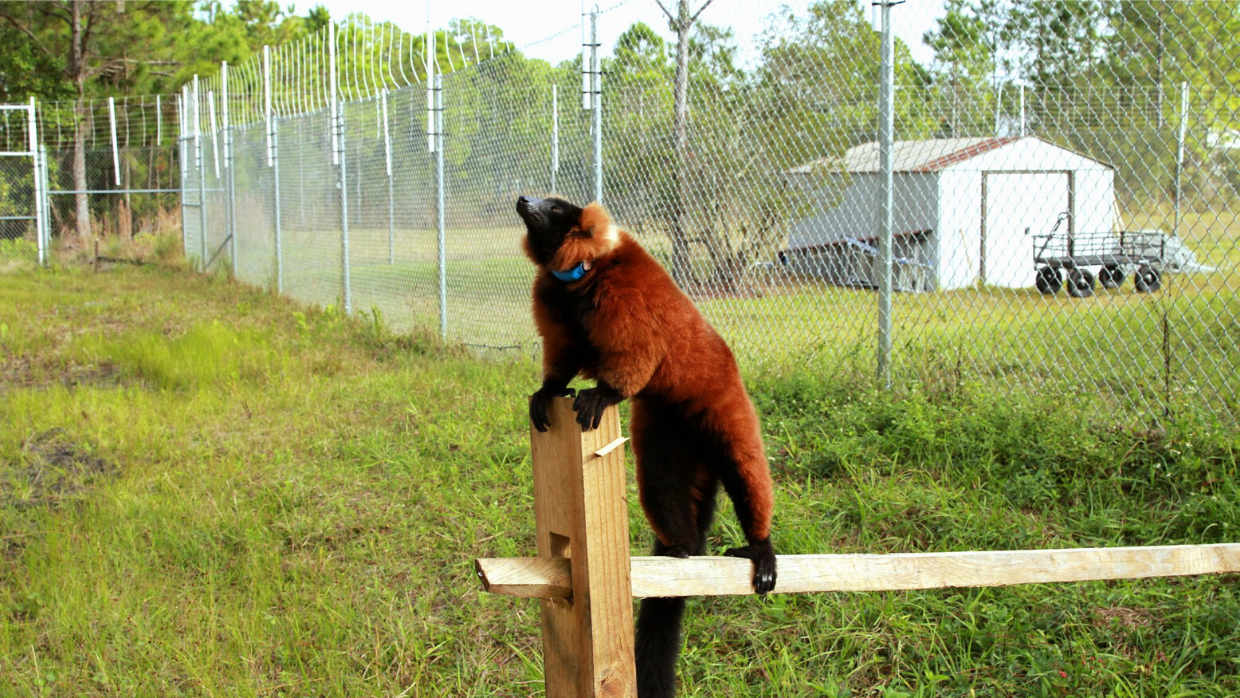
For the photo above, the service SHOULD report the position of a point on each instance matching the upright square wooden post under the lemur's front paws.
(582, 515)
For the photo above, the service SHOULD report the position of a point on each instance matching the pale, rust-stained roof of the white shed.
(926, 156)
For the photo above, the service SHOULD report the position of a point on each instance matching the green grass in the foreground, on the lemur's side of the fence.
(206, 490)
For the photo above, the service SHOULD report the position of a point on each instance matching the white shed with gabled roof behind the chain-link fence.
(964, 211)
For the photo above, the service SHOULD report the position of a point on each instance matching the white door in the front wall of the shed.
(1012, 203)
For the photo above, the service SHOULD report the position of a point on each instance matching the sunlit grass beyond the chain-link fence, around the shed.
(1125, 353)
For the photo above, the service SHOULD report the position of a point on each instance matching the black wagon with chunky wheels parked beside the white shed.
(1145, 255)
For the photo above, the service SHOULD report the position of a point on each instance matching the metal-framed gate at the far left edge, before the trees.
(24, 226)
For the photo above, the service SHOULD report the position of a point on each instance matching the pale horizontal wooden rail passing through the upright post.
(798, 575)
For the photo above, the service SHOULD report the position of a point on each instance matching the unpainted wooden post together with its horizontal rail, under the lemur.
(586, 578)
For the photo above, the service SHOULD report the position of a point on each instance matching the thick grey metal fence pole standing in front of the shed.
(886, 135)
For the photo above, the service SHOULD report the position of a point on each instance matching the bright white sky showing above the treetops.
(526, 23)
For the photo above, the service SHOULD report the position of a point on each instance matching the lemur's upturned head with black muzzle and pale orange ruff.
(566, 239)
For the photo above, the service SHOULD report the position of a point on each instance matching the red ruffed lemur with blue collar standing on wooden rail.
(607, 311)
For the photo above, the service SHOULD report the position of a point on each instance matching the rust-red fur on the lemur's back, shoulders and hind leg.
(652, 343)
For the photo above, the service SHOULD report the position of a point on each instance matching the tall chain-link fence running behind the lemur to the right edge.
(1065, 184)
